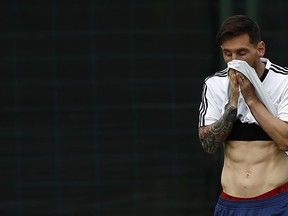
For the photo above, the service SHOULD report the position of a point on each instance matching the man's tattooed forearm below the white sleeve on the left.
(212, 136)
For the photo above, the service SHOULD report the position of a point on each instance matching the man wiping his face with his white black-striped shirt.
(255, 170)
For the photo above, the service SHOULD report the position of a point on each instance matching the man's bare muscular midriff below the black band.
(252, 168)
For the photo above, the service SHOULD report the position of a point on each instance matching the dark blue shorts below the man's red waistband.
(274, 205)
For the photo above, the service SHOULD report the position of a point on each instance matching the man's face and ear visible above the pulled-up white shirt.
(240, 48)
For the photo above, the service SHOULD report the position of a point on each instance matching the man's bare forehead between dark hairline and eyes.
(237, 42)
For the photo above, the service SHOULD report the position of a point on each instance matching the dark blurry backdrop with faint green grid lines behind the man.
(99, 103)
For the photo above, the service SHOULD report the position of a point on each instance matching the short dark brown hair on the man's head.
(236, 26)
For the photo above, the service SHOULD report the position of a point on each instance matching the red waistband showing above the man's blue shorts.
(278, 190)
